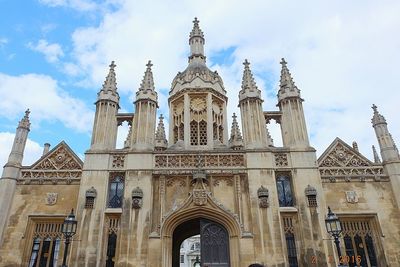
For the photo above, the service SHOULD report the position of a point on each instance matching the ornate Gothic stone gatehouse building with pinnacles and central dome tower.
(250, 201)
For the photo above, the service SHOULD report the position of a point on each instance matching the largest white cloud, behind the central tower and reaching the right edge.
(343, 55)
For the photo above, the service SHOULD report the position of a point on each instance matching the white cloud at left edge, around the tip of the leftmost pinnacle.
(45, 99)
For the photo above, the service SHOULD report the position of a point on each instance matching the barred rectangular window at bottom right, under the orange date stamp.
(358, 239)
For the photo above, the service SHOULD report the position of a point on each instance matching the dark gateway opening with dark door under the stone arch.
(214, 242)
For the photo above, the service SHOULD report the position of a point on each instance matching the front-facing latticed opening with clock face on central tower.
(198, 121)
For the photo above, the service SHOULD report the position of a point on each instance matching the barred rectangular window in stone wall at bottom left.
(46, 237)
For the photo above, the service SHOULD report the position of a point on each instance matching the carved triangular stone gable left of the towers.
(61, 157)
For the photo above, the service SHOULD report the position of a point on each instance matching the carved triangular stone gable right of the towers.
(340, 154)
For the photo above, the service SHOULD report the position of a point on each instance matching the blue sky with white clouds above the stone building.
(54, 57)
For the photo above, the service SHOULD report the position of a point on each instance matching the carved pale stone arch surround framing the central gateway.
(210, 210)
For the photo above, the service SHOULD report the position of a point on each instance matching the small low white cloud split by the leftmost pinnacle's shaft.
(33, 151)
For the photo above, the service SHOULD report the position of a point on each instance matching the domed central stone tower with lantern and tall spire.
(197, 102)
